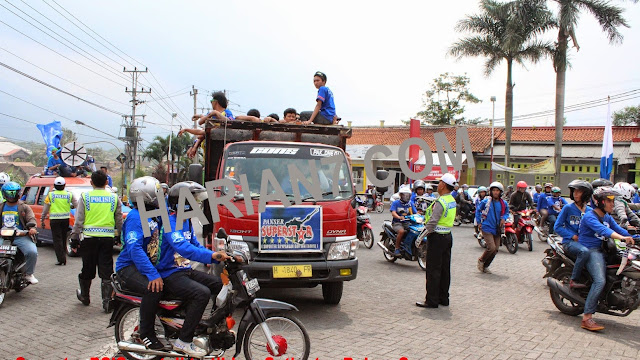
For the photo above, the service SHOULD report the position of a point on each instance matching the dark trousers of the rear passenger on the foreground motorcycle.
(134, 281)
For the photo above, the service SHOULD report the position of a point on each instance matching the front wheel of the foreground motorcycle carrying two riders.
(287, 331)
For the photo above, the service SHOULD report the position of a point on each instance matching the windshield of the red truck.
(253, 159)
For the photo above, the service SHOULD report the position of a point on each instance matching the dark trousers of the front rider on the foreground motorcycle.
(197, 287)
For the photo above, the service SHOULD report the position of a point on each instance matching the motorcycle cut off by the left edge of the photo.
(12, 261)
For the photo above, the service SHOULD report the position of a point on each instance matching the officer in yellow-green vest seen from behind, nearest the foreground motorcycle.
(99, 219)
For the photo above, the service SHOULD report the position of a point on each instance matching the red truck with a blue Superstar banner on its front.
(312, 241)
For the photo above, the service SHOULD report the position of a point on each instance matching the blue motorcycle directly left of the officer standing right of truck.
(414, 244)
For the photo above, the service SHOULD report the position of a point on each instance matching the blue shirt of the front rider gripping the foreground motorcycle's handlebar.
(180, 246)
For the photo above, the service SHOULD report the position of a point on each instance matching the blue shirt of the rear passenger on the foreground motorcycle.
(137, 249)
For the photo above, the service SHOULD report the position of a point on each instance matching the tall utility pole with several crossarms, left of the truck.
(131, 137)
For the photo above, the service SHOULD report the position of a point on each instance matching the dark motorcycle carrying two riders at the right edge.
(621, 294)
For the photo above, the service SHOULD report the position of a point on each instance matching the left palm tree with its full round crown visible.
(509, 32)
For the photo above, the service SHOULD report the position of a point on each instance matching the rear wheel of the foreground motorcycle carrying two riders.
(126, 329)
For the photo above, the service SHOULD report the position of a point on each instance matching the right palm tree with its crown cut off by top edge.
(609, 17)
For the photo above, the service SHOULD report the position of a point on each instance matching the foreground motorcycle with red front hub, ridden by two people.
(266, 330)
